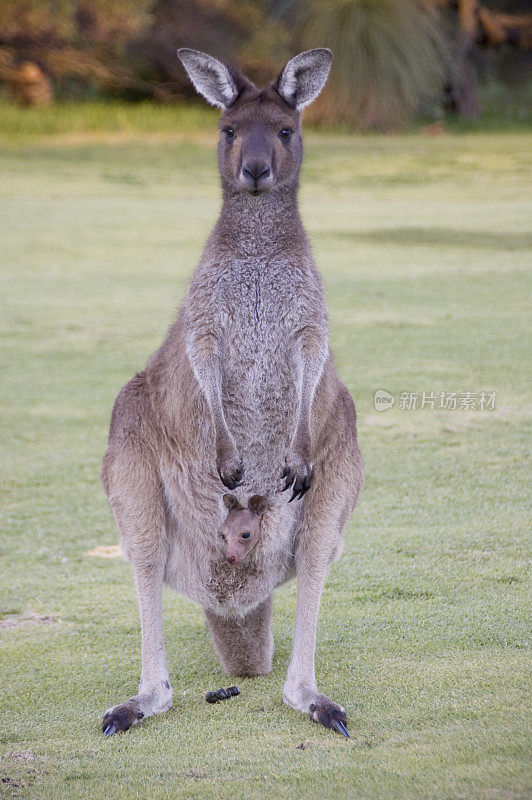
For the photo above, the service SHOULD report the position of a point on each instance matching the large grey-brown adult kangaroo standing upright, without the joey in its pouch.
(242, 395)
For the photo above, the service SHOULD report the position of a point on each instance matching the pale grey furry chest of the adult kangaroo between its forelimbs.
(260, 310)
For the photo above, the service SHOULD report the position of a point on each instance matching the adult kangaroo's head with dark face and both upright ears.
(260, 145)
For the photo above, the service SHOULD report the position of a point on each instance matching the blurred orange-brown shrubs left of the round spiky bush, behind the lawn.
(129, 46)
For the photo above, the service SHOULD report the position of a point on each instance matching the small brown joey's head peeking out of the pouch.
(241, 529)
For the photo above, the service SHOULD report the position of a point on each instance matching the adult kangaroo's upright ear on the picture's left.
(218, 84)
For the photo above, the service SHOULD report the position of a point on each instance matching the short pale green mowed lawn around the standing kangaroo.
(424, 246)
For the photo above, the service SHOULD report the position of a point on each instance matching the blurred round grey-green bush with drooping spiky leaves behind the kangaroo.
(389, 56)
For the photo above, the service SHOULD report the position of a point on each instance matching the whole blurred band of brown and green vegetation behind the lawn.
(392, 58)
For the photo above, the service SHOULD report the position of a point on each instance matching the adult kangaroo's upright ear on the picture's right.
(304, 77)
